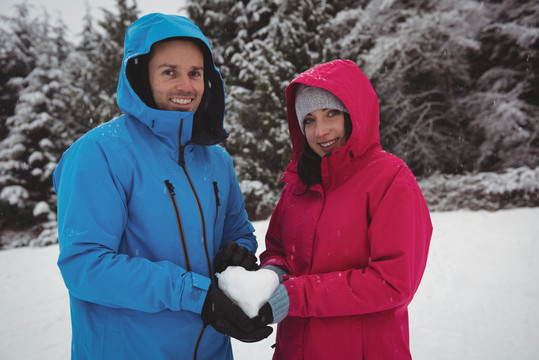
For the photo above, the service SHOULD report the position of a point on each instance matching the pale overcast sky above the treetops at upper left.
(72, 11)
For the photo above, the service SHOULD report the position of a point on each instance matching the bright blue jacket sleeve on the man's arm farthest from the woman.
(92, 216)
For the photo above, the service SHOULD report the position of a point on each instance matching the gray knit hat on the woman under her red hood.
(310, 98)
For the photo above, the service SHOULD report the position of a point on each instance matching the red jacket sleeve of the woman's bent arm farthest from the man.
(399, 236)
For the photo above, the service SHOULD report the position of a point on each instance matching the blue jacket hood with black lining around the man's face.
(134, 94)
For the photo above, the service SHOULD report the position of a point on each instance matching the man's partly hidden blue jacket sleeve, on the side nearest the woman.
(237, 226)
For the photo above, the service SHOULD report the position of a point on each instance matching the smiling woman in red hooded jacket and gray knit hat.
(349, 237)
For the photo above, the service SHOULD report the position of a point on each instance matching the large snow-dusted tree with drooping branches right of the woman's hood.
(456, 79)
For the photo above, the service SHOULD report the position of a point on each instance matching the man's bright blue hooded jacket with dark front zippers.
(144, 203)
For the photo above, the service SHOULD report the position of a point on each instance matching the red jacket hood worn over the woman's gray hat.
(345, 80)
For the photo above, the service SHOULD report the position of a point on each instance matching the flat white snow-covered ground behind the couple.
(479, 298)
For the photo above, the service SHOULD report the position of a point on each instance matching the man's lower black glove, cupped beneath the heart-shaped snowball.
(228, 318)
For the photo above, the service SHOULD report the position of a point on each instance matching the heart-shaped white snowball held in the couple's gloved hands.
(250, 290)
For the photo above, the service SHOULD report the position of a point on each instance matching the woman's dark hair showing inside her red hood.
(309, 162)
